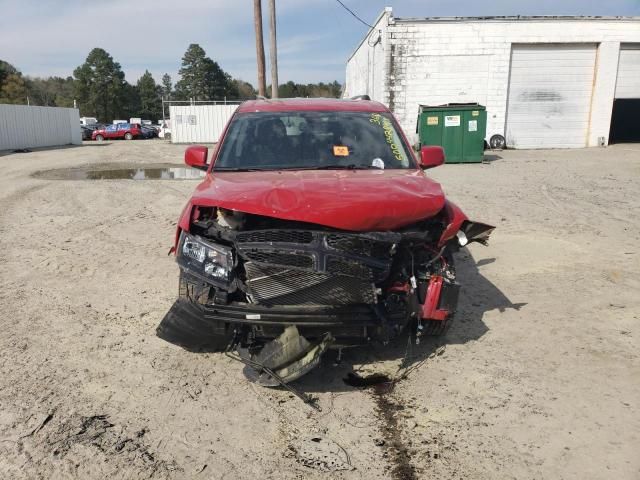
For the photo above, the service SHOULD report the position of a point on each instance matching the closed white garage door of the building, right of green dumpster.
(550, 90)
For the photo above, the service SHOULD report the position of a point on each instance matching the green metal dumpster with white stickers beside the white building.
(459, 128)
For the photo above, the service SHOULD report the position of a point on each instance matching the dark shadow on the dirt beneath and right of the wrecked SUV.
(478, 295)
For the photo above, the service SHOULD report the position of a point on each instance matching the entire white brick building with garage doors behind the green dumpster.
(547, 82)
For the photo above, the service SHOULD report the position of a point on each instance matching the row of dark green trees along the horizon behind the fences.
(100, 90)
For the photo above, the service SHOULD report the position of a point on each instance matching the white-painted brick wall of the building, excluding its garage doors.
(434, 61)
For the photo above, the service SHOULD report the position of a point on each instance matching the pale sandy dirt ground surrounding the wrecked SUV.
(539, 376)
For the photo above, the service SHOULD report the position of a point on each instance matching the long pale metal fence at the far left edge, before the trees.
(22, 126)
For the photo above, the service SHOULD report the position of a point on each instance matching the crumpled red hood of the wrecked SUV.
(356, 200)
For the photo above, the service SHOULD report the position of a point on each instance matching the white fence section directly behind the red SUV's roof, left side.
(199, 123)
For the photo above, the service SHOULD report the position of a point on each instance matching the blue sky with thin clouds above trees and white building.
(315, 37)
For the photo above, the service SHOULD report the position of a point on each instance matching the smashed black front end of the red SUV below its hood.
(261, 290)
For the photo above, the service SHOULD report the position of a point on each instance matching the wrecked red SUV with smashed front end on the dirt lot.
(315, 226)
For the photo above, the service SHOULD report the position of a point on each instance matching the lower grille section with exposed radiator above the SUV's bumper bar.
(269, 285)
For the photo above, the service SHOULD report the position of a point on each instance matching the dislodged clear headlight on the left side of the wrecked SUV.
(207, 260)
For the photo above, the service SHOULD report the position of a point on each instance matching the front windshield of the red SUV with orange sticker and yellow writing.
(311, 140)
